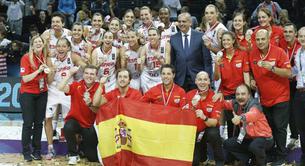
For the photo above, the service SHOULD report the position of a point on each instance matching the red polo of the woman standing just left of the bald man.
(231, 71)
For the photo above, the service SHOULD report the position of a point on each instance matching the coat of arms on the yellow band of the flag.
(122, 135)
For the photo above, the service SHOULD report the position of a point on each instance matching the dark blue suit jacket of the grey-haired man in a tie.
(197, 58)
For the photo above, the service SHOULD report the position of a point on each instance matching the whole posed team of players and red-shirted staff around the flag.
(76, 71)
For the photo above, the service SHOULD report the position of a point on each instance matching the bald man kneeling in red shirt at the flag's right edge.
(208, 114)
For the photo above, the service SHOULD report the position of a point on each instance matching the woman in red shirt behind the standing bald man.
(265, 19)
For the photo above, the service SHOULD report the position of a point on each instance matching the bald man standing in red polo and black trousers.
(271, 68)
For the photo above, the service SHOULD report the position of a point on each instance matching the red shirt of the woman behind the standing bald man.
(277, 35)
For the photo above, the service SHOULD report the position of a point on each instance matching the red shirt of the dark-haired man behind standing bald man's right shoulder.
(290, 51)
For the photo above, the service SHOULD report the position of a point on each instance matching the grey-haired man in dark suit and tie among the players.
(188, 53)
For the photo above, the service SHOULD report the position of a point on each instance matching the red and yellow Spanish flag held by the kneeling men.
(132, 133)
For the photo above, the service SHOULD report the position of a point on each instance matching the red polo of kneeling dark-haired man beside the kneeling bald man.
(157, 95)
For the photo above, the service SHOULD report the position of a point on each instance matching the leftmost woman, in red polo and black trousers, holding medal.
(33, 97)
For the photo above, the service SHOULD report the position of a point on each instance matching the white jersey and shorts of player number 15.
(150, 76)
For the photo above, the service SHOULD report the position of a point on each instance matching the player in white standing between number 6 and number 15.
(131, 58)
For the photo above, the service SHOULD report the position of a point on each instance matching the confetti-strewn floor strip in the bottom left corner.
(17, 160)
